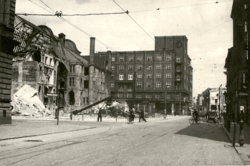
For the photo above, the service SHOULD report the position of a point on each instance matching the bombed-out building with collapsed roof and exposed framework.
(54, 67)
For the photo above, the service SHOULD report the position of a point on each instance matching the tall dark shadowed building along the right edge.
(236, 61)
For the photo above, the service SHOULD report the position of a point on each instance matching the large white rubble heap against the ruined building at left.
(26, 102)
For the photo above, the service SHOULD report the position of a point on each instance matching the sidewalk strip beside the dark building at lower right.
(243, 151)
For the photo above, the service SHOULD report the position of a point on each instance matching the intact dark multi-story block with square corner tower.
(149, 79)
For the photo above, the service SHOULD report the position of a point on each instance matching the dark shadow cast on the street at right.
(205, 130)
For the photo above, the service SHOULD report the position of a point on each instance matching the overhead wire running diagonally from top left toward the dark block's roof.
(65, 20)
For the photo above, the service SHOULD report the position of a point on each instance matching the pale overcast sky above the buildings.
(206, 24)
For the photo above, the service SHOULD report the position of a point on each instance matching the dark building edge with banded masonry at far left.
(7, 10)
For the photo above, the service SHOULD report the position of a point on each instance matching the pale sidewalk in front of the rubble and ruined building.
(34, 126)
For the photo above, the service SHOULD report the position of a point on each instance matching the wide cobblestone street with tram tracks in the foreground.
(162, 142)
